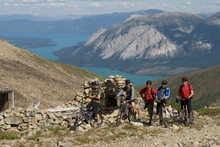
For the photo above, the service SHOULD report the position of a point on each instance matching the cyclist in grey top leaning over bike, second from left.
(130, 92)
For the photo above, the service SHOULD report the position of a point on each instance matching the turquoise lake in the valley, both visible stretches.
(66, 40)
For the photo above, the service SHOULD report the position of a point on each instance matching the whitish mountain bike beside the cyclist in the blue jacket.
(169, 114)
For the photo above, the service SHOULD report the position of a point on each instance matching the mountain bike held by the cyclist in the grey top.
(125, 111)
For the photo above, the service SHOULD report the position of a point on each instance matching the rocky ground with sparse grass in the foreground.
(203, 132)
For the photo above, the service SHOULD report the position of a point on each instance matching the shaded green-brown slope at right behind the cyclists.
(204, 82)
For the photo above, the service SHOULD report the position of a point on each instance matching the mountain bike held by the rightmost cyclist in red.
(185, 116)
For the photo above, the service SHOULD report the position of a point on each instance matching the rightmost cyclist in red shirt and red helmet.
(186, 93)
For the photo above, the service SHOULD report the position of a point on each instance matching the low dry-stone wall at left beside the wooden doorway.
(30, 119)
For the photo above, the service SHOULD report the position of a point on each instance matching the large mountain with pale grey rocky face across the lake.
(168, 43)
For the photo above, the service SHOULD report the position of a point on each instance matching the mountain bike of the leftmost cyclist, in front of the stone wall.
(86, 116)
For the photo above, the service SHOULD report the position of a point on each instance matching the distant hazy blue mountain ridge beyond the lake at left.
(86, 25)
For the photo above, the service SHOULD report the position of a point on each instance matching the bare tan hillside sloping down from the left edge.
(34, 78)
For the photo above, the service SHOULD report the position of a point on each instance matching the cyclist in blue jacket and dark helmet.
(163, 93)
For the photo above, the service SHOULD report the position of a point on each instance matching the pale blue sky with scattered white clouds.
(94, 7)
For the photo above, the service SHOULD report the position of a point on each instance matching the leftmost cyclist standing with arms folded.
(95, 95)
